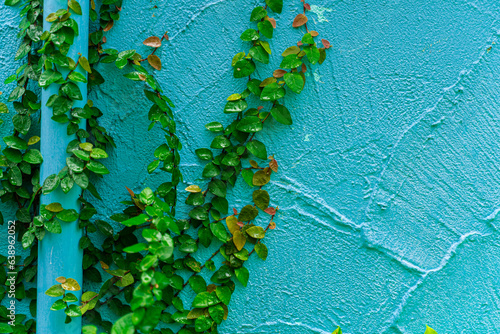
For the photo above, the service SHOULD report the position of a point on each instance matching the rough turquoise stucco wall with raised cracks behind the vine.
(388, 180)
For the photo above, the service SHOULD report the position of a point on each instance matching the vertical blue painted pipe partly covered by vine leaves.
(59, 254)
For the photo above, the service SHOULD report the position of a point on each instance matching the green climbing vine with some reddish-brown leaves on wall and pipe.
(144, 264)
